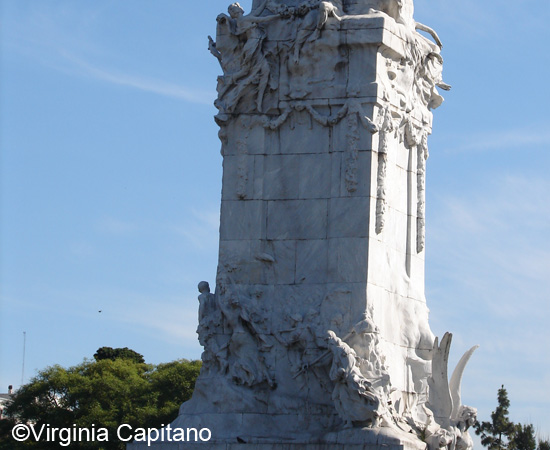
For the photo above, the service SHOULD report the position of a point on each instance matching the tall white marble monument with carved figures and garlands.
(317, 334)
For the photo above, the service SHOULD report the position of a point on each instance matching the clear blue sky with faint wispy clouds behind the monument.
(111, 180)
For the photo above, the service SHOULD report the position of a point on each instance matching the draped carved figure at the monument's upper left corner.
(253, 68)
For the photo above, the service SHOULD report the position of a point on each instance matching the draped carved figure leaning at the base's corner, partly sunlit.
(354, 399)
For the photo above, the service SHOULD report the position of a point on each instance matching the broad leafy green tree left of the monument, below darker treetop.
(106, 393)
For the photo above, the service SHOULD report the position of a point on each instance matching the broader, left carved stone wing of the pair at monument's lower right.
(439, 400)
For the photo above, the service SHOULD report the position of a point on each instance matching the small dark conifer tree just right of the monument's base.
(496, 434)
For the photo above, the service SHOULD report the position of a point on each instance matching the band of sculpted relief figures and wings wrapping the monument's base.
(240, 346)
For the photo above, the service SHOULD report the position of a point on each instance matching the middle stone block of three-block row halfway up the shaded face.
(297, 219)
